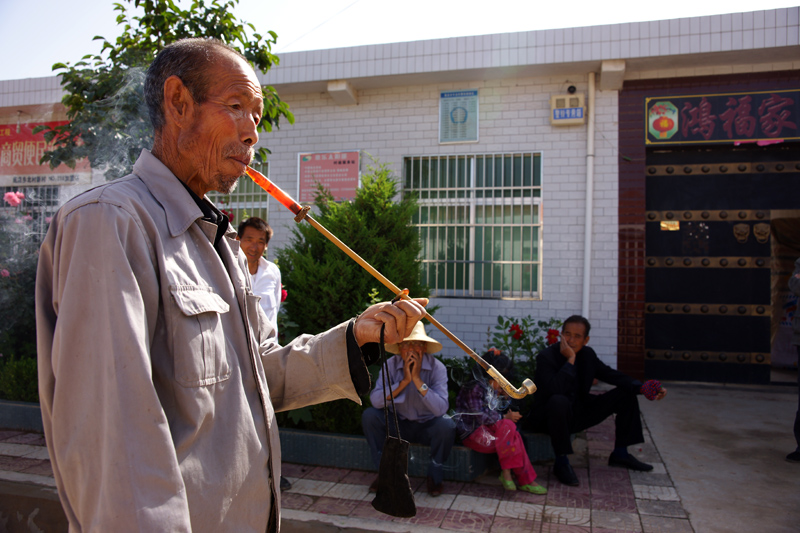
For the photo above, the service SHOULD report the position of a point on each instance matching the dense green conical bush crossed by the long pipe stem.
(325, 286)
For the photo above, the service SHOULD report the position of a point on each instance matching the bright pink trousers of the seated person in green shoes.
(503, 439)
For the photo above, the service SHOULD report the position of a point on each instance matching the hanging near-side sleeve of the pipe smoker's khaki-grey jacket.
(97, 303)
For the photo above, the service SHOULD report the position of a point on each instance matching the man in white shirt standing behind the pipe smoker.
(254, 235)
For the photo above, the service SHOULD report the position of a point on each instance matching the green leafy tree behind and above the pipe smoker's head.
(104, 100)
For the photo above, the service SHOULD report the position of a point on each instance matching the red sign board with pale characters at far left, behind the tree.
(20, 151)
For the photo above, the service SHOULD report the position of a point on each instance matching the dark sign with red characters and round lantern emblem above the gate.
(717, 118)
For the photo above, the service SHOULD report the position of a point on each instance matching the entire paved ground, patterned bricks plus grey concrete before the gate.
(719, 467)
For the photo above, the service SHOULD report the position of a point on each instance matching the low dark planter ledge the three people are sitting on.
(351, 451)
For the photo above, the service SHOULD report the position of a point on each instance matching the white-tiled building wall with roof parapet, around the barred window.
(385, 100)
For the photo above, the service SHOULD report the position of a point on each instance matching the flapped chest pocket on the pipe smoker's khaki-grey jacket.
(198, 341)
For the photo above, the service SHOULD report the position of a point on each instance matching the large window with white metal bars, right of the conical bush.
(479, 223)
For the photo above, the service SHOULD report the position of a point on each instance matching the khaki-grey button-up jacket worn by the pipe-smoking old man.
(159, 375)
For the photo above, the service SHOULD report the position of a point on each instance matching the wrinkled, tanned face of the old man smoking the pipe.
(218, 144)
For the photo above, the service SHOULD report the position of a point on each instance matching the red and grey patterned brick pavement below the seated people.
(608, 499)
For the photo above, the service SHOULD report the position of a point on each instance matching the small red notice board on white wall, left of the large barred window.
(336, 171)
